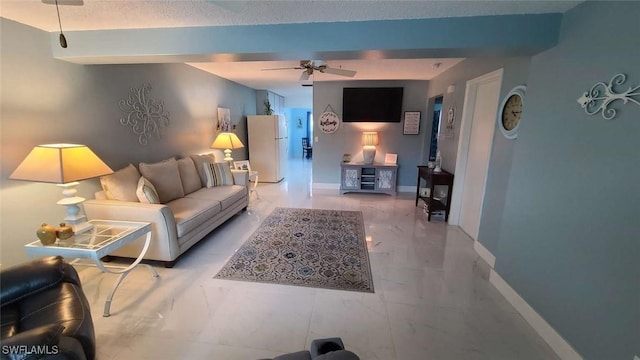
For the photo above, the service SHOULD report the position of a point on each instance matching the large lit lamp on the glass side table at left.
(65, 165)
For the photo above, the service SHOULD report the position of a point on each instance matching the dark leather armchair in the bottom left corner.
(44, 313)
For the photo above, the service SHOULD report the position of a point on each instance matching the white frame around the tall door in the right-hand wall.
(463, 143)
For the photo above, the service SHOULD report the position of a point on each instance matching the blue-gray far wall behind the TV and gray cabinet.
(327, 152)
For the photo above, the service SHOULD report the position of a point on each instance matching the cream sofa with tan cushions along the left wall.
(189, 205)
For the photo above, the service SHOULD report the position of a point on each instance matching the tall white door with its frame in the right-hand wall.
(474, 151)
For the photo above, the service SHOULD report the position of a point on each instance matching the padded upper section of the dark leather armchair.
(35, 276)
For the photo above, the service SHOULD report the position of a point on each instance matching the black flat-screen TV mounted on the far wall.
(379, 104)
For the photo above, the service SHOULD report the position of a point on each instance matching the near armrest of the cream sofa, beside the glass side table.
(164, 237)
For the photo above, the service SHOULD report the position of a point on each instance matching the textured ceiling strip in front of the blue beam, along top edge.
(133, 14)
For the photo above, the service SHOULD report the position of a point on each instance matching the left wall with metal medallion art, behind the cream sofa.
(44, 100)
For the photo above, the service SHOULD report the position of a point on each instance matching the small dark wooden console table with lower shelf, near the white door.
(431, 179)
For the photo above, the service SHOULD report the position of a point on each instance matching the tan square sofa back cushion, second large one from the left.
(165, 177)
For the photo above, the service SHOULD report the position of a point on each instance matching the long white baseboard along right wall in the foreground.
(549, 334)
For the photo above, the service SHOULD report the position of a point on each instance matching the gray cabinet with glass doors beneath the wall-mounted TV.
(371, 178)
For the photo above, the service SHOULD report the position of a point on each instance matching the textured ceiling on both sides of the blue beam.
(137, 14)
